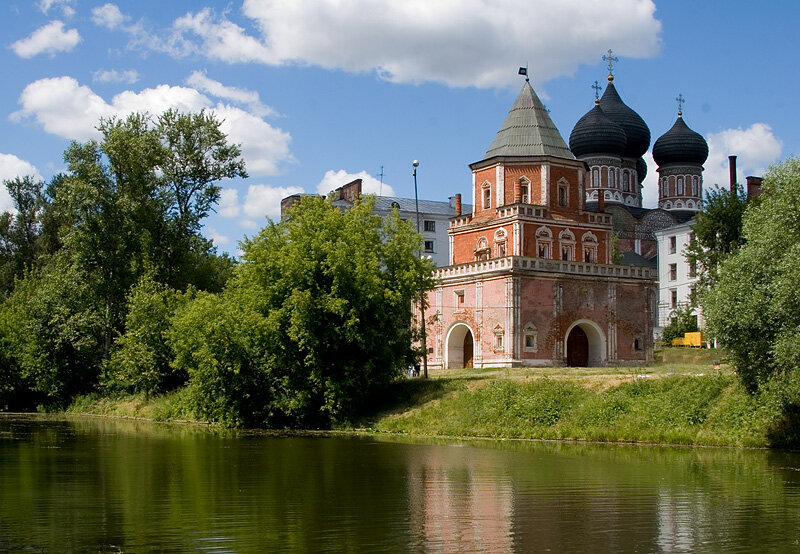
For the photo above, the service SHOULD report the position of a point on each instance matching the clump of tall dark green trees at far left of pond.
(128, 209)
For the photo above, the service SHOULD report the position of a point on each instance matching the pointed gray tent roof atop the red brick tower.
(528, 130)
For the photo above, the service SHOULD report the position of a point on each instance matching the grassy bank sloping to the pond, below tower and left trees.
(678, 400)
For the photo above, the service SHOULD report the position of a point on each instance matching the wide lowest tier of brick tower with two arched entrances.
(529, 312)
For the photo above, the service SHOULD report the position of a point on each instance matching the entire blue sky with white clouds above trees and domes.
(319, 92)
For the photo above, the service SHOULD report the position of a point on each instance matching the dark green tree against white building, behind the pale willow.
(716, 233)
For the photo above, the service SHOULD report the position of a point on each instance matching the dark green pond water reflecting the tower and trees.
(86, 484)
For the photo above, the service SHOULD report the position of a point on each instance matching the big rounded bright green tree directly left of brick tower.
(317, 318)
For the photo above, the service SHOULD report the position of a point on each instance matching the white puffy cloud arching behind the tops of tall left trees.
(63, 107)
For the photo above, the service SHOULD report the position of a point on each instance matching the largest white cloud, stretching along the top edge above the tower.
(469, 43)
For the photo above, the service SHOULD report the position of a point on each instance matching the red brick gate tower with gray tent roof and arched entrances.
(531, 280)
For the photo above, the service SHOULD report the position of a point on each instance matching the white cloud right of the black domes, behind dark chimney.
(755, 147)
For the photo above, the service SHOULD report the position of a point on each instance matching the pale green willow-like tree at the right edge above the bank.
(754, 307)
